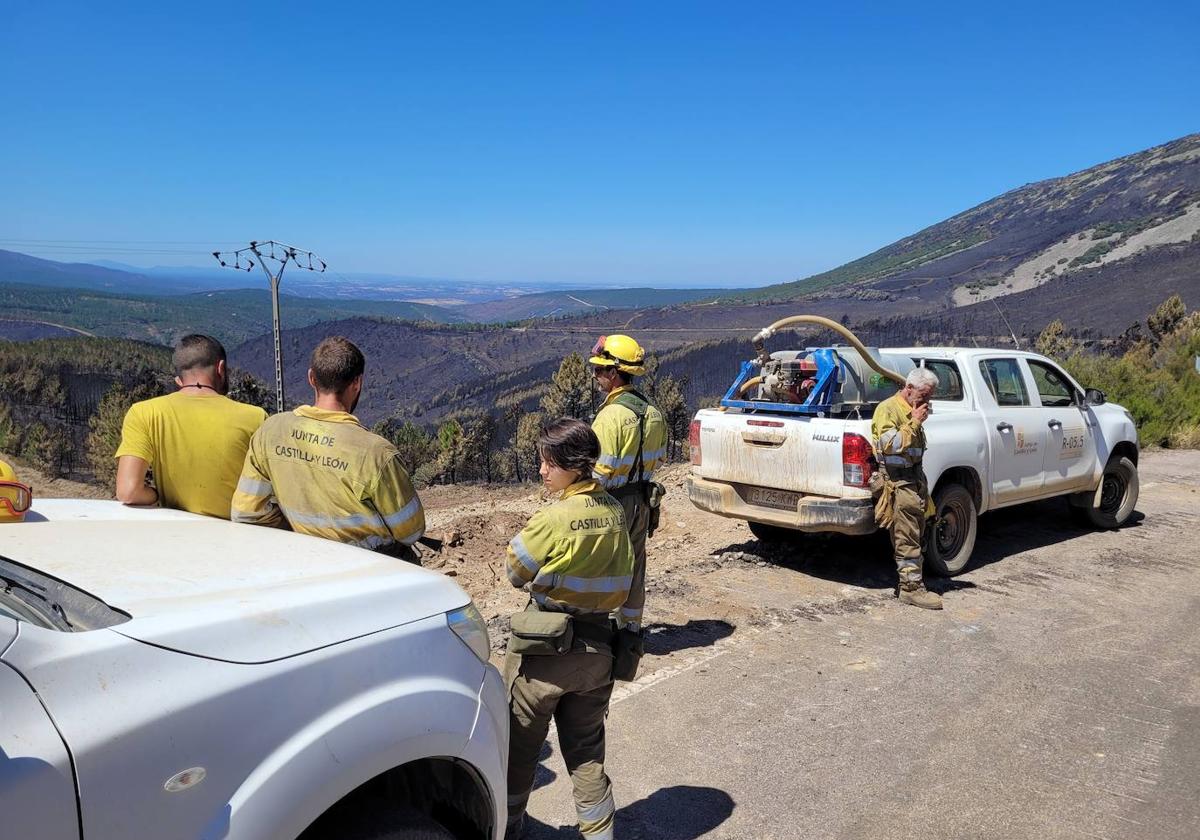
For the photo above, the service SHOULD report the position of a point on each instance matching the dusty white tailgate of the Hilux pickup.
(801, 455)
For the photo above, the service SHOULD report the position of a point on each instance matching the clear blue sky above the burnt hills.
(647, 143)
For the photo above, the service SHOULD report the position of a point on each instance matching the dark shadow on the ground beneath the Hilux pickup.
(867, 561)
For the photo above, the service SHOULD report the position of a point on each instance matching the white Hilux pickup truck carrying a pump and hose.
(1007, 428)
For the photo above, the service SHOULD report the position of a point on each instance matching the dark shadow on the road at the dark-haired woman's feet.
(680, 813)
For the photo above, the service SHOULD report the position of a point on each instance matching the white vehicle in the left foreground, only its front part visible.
(166, 676)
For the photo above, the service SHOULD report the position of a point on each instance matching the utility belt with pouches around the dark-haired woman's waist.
(539, 633)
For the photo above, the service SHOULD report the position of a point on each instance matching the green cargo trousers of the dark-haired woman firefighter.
(574, 691)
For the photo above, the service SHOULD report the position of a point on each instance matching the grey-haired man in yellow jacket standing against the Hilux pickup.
(903, 502)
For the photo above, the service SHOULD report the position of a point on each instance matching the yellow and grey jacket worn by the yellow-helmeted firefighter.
(617, 427)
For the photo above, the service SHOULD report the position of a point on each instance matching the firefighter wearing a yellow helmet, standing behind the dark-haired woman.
(633, 445)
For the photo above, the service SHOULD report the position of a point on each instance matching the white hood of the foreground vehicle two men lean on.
(224, 591)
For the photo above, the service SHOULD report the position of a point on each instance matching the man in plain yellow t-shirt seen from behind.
(195, 440)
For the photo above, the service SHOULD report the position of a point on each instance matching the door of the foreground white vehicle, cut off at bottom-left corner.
(38, 794)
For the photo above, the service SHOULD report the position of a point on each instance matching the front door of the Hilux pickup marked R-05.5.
(1070, 459)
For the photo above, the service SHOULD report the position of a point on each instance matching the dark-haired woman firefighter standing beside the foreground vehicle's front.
(577, 562)
